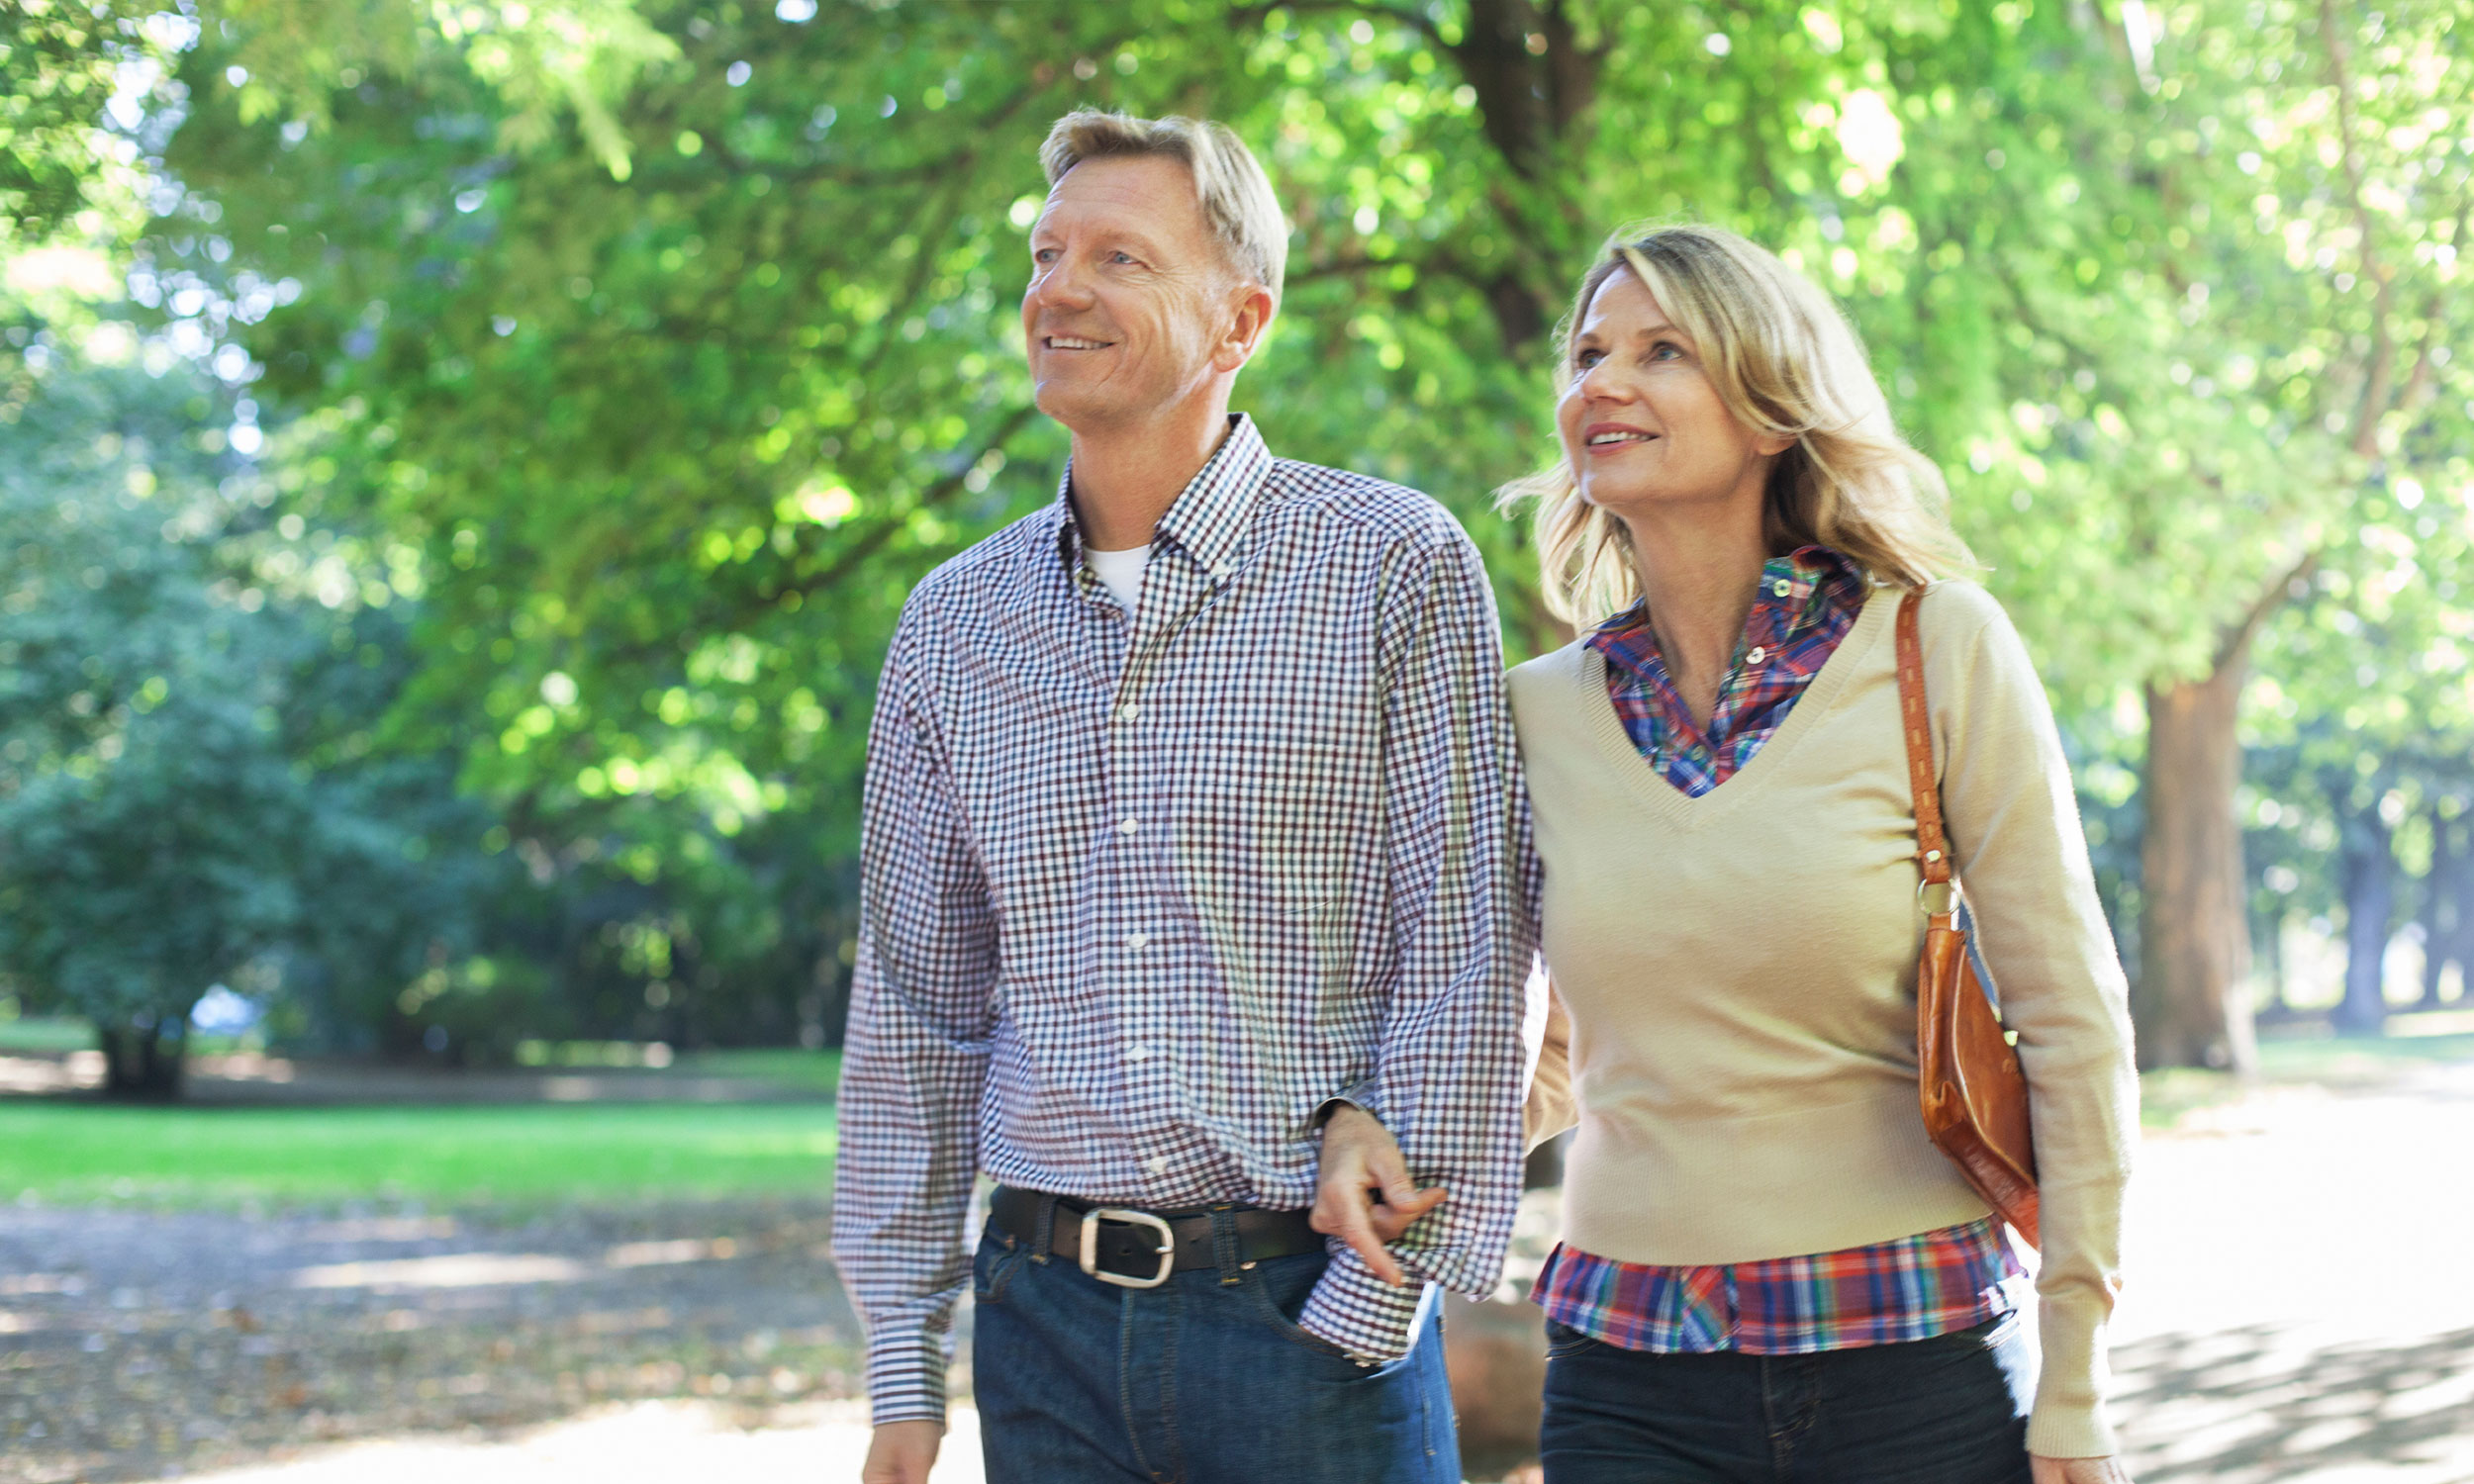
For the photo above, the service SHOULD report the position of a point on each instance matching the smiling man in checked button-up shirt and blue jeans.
(1189, 825)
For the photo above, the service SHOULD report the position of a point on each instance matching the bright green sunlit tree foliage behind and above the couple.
(635, 360)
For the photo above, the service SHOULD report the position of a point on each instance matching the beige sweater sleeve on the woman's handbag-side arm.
(2022, 859)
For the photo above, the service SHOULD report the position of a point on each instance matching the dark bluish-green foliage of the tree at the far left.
(184, 778)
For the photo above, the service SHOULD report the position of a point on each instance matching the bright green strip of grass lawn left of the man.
(68, 1151)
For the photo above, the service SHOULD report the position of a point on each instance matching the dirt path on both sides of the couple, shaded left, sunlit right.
(2302, 1310)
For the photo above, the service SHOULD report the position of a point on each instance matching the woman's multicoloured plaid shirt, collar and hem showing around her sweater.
(1906, 1290)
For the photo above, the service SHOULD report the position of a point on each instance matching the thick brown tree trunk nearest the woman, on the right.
(2196, 946)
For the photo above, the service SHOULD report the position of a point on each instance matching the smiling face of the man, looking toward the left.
(1132, 301)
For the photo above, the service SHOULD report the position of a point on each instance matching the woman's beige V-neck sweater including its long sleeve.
(1738, 973)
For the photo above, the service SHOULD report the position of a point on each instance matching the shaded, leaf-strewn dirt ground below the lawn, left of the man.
(137, 1344)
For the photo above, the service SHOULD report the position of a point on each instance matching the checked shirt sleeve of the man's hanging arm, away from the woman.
(914, 1060)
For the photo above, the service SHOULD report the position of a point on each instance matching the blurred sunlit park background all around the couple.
(461, 464)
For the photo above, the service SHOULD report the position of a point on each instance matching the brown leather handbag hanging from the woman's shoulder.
(1968, 1067)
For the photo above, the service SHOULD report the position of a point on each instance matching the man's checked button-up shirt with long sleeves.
(1139, 897)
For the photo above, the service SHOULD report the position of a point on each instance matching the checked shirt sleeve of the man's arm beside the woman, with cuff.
(1451, 1060)
